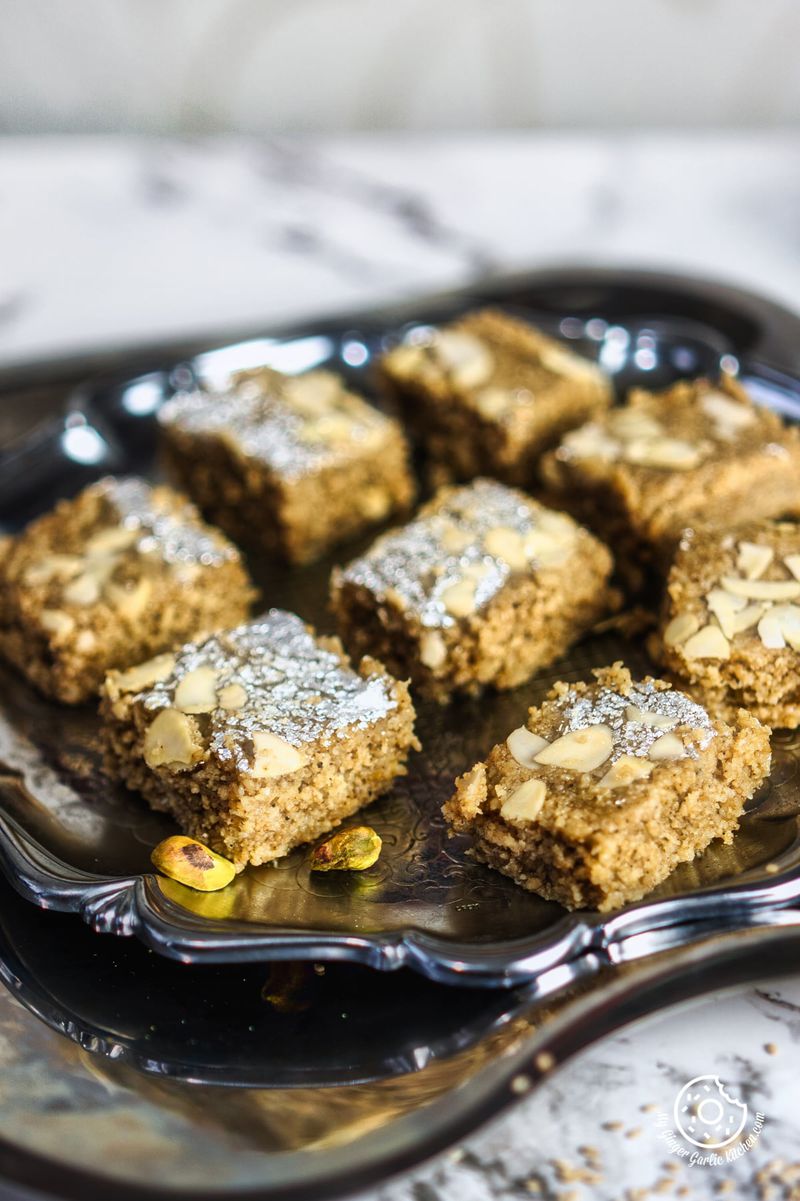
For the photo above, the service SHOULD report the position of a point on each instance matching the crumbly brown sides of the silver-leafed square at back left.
(296, 518)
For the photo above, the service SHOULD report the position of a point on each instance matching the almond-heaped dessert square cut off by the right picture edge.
(731, 623)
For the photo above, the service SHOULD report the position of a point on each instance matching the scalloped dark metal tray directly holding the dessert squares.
(70, 840)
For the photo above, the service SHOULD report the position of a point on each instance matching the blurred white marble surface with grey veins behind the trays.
(152, 240)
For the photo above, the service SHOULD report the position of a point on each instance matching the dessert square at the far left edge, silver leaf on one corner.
(122, 571)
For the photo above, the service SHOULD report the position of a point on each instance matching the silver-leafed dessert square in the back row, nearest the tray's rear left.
(290, 464)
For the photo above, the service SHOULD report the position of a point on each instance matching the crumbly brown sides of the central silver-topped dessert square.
(533, 622)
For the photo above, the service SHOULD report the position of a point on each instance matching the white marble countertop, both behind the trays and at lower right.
(111, 242)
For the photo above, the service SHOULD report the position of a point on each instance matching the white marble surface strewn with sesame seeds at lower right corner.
(593, 1134)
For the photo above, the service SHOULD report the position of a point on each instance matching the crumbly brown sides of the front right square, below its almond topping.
(600, 849)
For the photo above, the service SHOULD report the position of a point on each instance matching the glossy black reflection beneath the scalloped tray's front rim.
(260, 1026)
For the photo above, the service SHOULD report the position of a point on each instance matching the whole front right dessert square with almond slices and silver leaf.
(607, 788)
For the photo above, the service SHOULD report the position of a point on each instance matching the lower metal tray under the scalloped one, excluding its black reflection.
(86, 1128)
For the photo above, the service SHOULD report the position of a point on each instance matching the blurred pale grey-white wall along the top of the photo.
(202, 67)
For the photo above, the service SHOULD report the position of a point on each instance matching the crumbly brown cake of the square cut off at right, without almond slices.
(763, 680)
